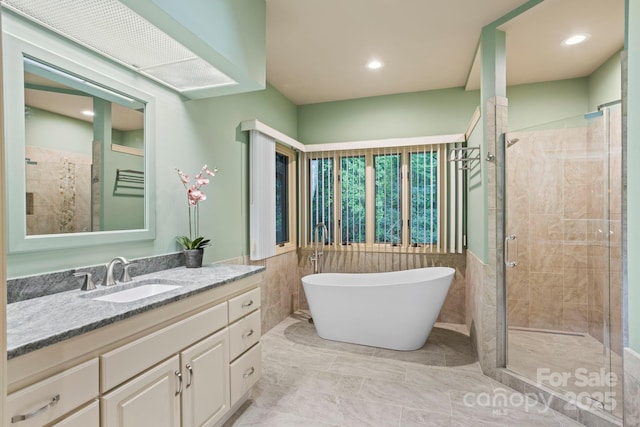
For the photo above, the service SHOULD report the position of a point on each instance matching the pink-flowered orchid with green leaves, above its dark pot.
(194, 196)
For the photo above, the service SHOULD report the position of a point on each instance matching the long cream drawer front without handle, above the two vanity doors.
(131, 359)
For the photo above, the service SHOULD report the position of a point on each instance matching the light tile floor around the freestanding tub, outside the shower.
(308, 381)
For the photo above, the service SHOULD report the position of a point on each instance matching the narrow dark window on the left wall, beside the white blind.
(286, 200)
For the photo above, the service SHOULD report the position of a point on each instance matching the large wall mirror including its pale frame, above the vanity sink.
(79, 156)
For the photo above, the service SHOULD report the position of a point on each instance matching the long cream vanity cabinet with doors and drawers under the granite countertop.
(189, 363)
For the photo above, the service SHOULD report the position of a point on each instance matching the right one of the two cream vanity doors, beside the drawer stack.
(205, 366)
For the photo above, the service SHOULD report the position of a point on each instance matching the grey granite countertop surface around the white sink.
(38, 322)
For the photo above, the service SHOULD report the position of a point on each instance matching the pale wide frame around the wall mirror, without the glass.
(14, 51)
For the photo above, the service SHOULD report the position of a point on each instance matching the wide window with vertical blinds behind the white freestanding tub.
(383, 199)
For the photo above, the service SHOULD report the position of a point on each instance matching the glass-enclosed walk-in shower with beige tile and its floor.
(563, 269)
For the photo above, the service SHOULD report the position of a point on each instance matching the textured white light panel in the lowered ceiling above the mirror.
(115, 31)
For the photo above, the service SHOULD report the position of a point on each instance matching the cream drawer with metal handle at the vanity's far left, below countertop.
(49, 399)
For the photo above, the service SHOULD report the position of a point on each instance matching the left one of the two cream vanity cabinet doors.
(151, 399)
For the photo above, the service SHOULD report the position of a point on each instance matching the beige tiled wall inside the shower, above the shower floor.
(557, 182)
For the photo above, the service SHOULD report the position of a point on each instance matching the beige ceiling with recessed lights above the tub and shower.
(317, 50)
